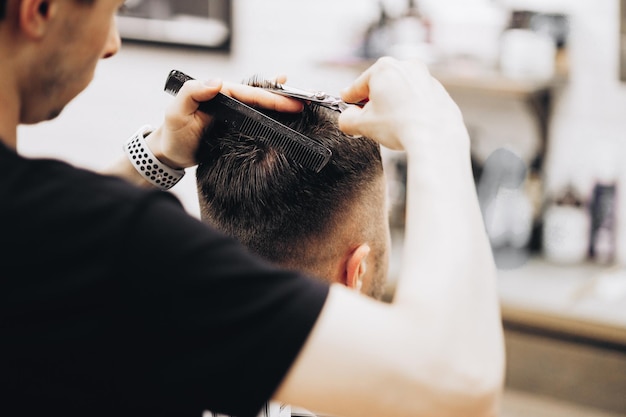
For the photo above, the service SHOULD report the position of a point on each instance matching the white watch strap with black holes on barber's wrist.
(144, 161)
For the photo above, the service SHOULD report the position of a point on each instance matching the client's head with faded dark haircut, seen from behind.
(332, 224)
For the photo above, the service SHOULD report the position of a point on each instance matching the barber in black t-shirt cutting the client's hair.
(114, 301)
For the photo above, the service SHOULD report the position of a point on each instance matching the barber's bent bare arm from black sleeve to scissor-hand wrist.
(437, 350)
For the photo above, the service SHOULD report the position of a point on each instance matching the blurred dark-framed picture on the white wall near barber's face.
(205, 24)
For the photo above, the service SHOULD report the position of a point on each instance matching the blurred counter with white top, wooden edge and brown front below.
(565, 333)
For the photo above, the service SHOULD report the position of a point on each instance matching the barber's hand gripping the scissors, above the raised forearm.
(407, 107)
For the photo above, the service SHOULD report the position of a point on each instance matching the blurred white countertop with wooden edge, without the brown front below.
(585, 301)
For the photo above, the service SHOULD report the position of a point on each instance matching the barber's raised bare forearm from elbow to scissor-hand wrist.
(448, 273)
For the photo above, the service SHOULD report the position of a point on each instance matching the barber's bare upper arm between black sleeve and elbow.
(368, 359)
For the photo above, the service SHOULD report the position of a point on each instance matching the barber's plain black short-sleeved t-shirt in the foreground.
(114, 301)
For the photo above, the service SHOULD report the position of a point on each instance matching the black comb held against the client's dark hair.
(302, 149)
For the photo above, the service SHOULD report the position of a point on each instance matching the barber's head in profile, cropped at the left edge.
(53, 47)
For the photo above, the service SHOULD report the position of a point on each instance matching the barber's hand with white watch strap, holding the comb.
(175, 143)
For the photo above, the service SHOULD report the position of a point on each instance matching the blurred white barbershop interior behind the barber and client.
(541, 85)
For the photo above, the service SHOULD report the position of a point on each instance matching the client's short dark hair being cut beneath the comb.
(268, 202)
